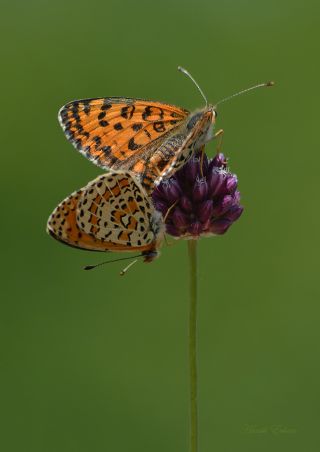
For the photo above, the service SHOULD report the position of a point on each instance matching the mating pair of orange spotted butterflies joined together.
(140, 143)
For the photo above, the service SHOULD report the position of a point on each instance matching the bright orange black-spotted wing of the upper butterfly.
(115, 132)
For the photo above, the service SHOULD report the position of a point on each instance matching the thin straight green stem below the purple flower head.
(192, 251)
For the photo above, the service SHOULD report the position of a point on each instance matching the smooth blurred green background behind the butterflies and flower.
(95, 362)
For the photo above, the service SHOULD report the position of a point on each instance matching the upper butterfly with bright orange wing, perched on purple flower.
(150, 139)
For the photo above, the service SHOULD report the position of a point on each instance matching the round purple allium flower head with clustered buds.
(197, 202)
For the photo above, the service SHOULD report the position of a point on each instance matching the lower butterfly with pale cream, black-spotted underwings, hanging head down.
(111, 213)
